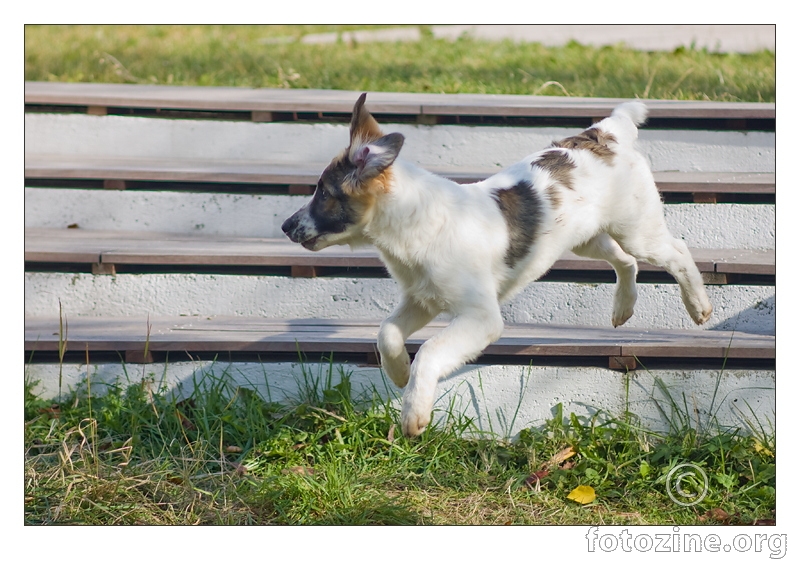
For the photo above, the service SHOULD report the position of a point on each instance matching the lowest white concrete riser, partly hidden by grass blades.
(499, 399)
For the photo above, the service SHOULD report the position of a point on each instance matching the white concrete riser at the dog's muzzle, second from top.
(700, 225)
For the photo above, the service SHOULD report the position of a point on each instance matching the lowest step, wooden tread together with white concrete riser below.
(549, 366)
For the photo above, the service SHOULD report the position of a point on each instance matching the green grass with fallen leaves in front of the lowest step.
(134, 455)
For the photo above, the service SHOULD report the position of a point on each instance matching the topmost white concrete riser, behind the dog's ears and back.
(442, 145)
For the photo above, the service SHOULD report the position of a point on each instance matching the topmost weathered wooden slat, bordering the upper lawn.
(335, 101)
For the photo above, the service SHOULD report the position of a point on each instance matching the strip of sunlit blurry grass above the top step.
(249, 56)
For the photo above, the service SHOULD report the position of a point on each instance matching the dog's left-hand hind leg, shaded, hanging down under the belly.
(603, 247)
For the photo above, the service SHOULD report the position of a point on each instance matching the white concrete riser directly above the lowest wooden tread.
(744, 308)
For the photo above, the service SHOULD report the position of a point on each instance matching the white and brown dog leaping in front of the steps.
(464, 249)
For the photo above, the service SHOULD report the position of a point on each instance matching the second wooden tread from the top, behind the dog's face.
(121, 173)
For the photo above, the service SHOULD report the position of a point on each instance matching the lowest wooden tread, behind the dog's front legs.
(232, 335)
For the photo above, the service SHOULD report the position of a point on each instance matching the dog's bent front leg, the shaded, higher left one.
(406, 319)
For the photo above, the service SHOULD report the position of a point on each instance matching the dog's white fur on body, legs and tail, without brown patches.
(446, 244)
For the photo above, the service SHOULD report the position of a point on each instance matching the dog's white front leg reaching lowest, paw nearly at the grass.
(462, 340)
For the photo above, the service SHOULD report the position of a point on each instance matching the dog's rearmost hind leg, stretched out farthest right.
(658, 247)
